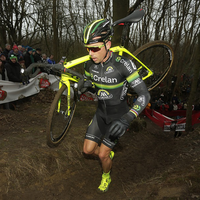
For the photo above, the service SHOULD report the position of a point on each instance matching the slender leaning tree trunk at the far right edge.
(193, 91)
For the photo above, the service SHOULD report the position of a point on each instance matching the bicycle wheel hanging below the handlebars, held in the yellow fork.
(58, 122)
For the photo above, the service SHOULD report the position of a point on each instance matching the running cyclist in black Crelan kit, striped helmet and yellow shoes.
(111, 75)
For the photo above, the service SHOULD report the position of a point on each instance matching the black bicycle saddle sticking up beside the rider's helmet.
(134, 17)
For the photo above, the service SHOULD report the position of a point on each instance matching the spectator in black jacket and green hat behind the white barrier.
(13, 69)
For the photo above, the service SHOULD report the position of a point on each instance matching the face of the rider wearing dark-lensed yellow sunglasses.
(98, 51)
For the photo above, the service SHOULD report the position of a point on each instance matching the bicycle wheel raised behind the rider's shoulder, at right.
(158, 56)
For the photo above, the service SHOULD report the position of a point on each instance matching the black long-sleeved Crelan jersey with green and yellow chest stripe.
(111, 80)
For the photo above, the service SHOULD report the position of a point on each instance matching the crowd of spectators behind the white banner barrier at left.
(14, 57)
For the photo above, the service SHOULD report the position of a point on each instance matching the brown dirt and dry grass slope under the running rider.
(148, 164)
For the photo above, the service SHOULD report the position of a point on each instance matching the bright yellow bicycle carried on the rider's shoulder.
(153, 61)
